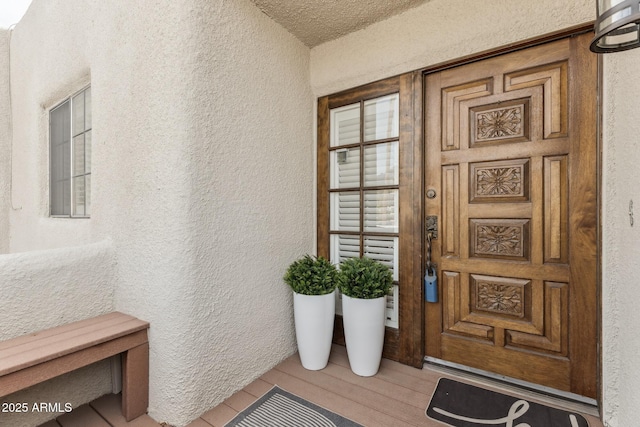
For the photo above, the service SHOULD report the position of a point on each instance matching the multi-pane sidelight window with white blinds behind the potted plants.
(364, 185)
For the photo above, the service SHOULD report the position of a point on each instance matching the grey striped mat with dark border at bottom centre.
(279, 408)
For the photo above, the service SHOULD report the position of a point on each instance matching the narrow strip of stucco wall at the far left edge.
(5, 141)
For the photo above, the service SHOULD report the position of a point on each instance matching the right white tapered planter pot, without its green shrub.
(364, 321)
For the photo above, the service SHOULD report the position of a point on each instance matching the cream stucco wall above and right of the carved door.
(442, 30)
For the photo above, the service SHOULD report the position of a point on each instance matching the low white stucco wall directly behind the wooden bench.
(37, 287)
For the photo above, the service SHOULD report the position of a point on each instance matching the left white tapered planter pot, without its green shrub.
(314, 316)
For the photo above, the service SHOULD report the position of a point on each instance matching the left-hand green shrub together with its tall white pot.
(313, 281)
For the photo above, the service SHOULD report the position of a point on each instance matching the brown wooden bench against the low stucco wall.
(37, 357)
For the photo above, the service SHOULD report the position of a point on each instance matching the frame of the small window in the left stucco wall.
(72, 135)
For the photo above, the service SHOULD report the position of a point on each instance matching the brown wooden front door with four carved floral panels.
(511, 155)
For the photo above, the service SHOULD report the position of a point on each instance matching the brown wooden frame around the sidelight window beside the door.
(401, 343)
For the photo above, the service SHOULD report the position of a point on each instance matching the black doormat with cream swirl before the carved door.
(463, 405)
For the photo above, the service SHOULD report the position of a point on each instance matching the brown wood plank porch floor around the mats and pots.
(397, 396)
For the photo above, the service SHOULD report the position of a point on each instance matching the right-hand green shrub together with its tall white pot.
(364, 284)
